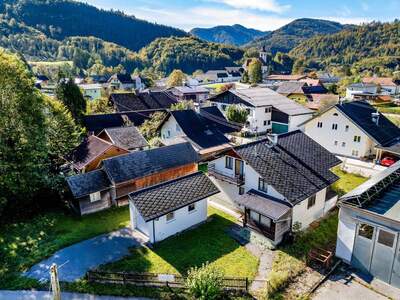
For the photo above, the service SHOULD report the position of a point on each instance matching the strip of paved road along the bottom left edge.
(38, 295)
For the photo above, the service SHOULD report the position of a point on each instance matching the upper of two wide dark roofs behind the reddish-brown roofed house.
(148, 100)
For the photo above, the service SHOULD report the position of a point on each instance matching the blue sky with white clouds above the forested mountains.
(259, 14)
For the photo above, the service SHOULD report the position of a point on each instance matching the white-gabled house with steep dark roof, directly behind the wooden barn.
(204, 130)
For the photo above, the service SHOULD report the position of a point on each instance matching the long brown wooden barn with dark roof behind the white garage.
(121, 175)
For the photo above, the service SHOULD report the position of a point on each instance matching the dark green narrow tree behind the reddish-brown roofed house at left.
(71, 96)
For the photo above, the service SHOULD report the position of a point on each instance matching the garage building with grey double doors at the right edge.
(369, 226)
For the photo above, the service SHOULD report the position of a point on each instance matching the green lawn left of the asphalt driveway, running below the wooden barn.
(26, 243)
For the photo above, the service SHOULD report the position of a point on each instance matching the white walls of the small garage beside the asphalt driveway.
(162, 228)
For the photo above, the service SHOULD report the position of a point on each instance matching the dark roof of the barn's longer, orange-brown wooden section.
(143, 163)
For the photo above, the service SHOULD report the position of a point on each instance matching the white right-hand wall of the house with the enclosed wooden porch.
(305, 216)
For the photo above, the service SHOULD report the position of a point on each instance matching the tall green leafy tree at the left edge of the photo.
(23, 142)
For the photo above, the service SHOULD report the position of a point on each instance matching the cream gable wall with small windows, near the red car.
(326, 137)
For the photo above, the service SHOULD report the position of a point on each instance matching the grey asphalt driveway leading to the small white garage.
(74, 261)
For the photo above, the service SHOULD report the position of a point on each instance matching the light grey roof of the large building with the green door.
(266, 97)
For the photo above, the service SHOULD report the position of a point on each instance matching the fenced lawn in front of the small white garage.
(207, 243)
